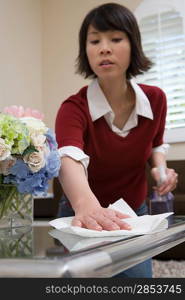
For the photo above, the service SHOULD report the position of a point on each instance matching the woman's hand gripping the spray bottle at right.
(169, 184)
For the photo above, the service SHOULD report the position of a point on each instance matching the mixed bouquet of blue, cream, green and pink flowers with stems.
(29, 159)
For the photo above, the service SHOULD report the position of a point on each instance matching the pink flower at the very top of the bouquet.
(19, 112)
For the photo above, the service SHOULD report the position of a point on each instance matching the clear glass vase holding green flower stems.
(16, 209)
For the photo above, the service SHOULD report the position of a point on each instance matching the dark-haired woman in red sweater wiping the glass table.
(110, 129)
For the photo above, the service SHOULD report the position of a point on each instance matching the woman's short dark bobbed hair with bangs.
(113, 16)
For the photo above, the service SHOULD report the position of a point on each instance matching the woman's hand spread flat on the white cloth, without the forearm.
(99, 218)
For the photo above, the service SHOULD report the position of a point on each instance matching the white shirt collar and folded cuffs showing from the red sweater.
(99, 107)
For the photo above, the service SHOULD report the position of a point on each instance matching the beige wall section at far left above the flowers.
(20, 53)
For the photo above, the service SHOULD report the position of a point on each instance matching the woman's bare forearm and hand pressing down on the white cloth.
(88, 211)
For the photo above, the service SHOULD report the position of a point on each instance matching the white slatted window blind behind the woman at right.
(163, 42)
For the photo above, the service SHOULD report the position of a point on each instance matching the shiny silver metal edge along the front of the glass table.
(103, 261)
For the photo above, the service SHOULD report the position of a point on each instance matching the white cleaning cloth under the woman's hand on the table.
(146, 224)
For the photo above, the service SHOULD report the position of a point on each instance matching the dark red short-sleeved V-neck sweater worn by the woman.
(117, 164)
